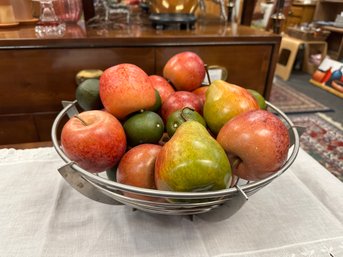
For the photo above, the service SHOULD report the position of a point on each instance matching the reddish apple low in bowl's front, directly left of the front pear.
(136, 168)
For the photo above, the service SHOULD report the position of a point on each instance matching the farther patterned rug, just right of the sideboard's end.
(290, 100)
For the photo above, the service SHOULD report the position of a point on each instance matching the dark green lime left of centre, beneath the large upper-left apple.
(144, 127)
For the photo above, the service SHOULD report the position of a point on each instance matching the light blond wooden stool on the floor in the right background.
(288, 51)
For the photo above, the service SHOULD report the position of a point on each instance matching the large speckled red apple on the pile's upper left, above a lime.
(124, 89)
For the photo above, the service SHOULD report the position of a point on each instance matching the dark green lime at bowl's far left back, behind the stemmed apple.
(87, 95)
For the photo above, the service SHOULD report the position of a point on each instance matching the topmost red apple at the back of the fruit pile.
(185, 70)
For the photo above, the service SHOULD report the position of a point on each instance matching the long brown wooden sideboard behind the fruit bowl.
(38, 73)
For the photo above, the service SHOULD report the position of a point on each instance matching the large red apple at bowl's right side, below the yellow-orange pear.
(256, 142)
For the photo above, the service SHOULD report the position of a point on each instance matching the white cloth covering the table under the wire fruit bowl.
(298, 214)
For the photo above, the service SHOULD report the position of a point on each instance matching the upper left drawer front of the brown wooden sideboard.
(37, 80)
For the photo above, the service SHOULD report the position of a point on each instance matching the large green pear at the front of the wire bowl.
(192, 161)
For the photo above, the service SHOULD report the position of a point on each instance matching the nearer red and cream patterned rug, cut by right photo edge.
(323, 140)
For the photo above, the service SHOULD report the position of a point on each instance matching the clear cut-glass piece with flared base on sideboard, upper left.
(49, 24)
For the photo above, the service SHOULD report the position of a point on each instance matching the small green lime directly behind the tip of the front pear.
(180, 116)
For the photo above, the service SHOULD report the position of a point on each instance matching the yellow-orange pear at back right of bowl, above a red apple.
(225, 101)
